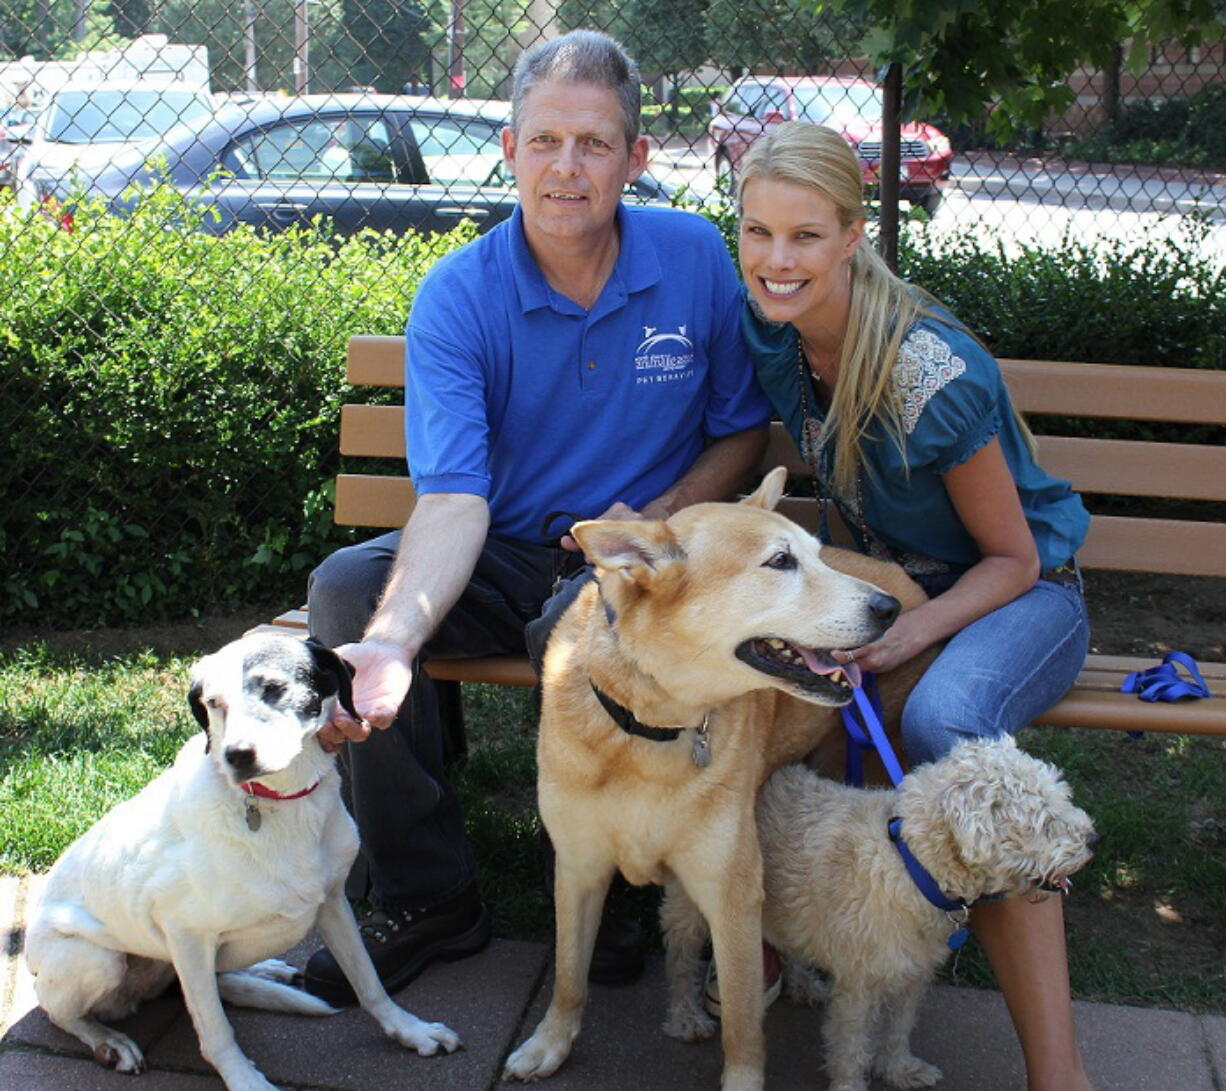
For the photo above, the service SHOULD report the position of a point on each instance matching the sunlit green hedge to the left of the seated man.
(170, 404)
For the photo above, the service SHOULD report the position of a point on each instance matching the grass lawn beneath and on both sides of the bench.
(80, 731)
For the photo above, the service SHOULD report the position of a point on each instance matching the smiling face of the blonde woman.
(795, 252)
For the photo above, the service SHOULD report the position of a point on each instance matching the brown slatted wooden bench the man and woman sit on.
(1192, 473)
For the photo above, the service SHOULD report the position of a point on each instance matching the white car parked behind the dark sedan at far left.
(82, 129)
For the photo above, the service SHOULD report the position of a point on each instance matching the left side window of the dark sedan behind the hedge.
(318, 149)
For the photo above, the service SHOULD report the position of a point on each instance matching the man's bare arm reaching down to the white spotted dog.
(437, 556)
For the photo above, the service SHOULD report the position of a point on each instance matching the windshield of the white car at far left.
(117, 116)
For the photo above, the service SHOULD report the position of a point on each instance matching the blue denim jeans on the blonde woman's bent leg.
(999, 674)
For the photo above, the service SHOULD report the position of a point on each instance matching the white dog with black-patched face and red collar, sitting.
(227, 859)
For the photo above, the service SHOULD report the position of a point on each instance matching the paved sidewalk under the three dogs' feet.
(495, 998)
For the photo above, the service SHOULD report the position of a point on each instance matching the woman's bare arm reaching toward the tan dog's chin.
(985, 497)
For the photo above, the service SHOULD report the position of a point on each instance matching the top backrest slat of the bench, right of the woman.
(1189, 395)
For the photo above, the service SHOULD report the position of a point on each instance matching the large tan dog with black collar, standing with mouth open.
(697, 664)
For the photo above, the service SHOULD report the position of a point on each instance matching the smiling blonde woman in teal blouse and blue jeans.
(912, 435)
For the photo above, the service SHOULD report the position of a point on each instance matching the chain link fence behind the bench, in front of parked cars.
(202, 199)
